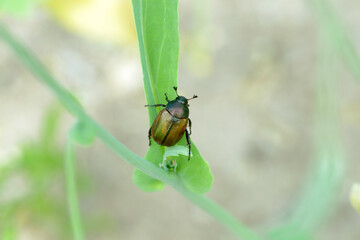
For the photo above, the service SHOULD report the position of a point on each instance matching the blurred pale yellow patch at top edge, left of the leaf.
(109, 21)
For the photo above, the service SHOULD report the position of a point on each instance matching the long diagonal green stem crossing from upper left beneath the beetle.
(213, 209)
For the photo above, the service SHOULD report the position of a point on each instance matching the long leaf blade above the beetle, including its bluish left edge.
(157, 28)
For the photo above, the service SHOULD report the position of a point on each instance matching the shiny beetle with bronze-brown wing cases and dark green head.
(171, 122)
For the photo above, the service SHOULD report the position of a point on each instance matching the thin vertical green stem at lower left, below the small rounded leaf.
(72, 199)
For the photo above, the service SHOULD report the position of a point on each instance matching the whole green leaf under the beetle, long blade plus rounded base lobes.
(157, 27)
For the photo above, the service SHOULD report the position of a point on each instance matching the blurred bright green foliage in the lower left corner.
(31, 194)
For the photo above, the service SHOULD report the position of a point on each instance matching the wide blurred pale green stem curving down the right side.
(323, 186)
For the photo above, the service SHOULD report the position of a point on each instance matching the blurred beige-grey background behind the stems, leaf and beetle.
(254, 66)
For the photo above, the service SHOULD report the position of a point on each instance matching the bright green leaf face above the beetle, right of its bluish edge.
(161, 41)
